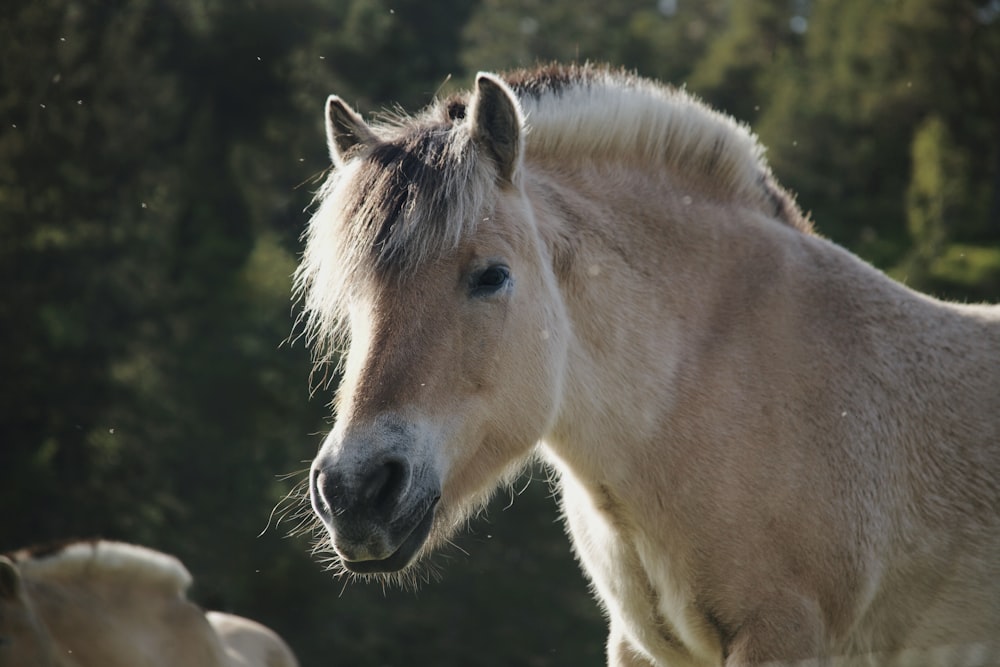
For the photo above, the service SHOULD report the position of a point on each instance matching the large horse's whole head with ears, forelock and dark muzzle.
(424, 254)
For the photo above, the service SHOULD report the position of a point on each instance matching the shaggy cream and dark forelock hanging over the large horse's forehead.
(409, 198)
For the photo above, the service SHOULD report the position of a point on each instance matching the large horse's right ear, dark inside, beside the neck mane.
(497, 123)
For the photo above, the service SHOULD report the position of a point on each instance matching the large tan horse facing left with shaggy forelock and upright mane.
(766, 451)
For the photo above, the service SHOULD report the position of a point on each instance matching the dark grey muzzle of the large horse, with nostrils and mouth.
(378, 509)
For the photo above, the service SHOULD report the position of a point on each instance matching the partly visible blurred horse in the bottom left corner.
(99, 603)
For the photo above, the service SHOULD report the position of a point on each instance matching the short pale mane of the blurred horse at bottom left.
(86, 559)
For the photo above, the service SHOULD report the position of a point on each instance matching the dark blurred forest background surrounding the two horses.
(157, 164)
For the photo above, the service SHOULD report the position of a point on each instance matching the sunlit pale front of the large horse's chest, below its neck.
(644, 596)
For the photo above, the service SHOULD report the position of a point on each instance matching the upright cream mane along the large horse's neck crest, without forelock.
(595, 112)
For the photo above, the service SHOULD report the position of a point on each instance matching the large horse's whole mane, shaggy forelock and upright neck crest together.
(424, 186)
